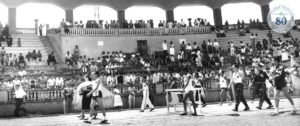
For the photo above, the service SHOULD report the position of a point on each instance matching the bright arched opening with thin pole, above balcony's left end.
(93, 12)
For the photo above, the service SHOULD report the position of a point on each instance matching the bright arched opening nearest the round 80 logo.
(241, 11)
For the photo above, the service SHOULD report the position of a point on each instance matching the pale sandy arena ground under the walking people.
(213, 114)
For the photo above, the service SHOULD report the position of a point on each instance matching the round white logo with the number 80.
(281, 19)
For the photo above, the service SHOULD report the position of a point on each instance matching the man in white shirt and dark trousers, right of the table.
(237, 81)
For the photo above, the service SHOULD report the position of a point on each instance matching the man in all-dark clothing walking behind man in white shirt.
(260, 78)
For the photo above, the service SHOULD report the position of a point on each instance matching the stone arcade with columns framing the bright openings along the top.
(167, 5)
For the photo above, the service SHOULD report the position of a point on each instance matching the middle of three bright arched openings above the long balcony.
(145, 13)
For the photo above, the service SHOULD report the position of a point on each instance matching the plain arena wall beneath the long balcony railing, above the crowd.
(91, 45)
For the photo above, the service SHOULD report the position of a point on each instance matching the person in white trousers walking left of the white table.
(146, 100)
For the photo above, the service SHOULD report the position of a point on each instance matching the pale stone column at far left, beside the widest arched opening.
(12, 18)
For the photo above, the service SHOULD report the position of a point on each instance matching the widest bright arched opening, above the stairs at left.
(45, 13)
